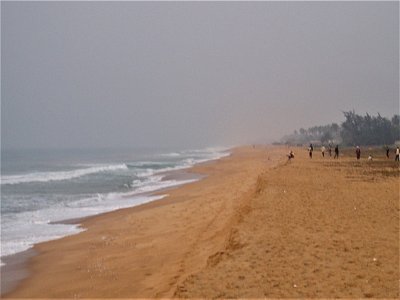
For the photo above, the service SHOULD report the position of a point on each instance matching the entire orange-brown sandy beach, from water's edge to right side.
(256, 226)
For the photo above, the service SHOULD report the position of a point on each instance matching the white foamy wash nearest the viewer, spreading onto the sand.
(21, 231)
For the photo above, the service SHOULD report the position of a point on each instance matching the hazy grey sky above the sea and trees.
(191, 74)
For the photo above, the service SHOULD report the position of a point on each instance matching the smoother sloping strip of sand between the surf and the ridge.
(147, 251)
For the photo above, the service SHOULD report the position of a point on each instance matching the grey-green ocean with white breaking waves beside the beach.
(42, 188)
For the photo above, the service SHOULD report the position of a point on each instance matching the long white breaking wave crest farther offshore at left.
(61, 175)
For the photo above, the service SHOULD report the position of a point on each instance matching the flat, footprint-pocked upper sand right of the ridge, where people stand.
(317, 228)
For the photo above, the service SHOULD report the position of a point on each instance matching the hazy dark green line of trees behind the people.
(355, 130)
